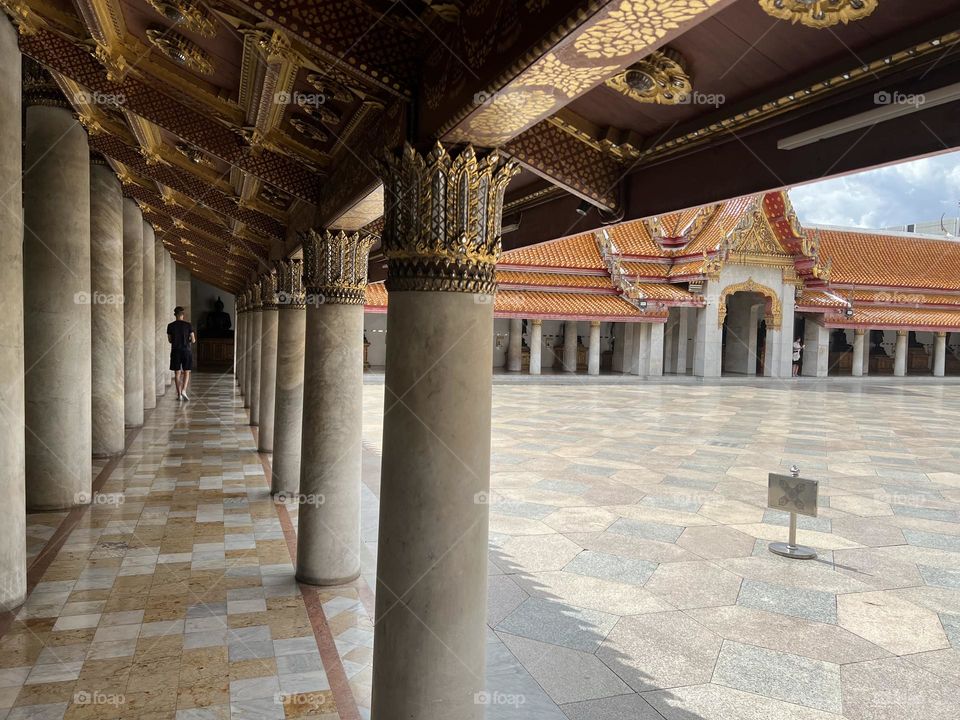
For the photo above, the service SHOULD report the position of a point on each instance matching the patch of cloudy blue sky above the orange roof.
(894, 195)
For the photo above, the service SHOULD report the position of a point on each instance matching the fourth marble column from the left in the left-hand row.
(132, 314)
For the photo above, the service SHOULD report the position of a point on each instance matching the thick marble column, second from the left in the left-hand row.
(56, 271)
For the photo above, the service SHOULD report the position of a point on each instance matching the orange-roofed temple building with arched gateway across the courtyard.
(725, 288)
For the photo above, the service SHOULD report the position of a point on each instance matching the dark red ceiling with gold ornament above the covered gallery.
(237, 124)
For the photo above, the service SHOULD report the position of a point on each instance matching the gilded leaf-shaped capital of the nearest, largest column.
(442, 219)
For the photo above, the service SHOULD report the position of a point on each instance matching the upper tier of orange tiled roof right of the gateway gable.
(870, 258)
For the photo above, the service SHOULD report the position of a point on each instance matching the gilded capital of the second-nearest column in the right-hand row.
(335, 266)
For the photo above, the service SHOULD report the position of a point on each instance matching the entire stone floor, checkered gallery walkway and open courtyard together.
(629, 575)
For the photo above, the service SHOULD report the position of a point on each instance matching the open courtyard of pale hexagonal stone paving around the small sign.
(629, 570)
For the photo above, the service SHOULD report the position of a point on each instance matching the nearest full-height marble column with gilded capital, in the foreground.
(435, 478)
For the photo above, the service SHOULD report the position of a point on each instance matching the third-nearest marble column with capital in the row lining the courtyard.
(288, 416)
